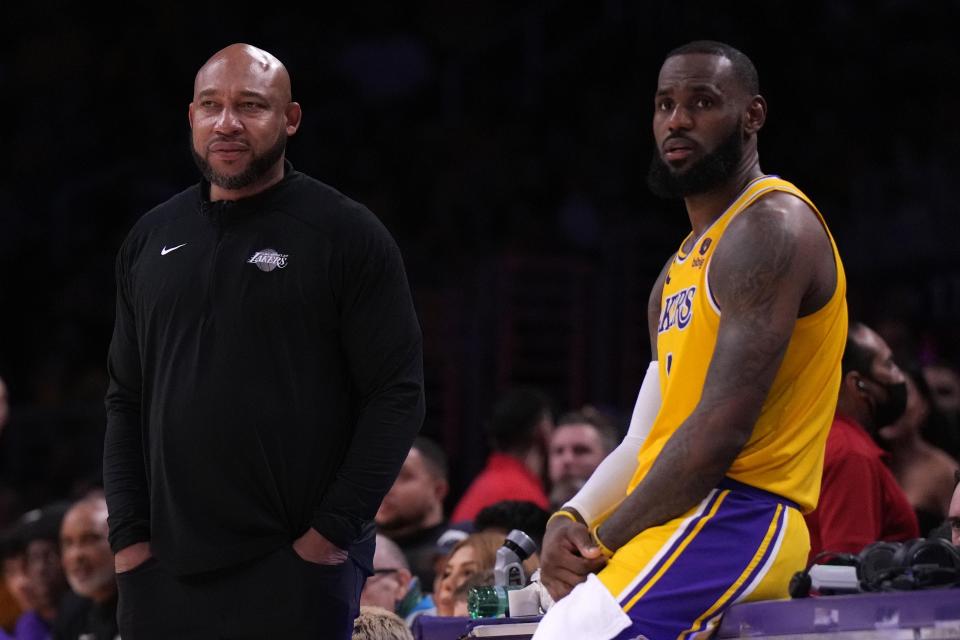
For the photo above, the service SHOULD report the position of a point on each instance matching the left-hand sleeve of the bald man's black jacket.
(124, 476)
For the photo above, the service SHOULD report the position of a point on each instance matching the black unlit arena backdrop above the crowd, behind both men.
(505, 145)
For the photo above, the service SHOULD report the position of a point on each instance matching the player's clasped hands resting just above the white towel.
(569, 556)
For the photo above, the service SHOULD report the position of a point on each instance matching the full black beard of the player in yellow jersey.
(712, 170)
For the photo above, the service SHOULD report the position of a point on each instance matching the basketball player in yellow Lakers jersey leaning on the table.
(747, 324)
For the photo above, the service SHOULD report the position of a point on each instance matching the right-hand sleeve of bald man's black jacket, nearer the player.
(382, 343)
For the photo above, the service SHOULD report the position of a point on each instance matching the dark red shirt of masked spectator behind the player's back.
(860, 500)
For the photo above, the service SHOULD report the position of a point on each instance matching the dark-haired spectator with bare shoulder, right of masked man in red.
(923, 471)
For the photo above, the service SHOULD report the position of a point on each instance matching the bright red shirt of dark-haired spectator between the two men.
(504, 478)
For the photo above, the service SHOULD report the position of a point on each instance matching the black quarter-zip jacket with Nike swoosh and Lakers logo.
(266, 375)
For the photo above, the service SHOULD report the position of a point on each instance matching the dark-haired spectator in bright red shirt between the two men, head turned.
(518, 430)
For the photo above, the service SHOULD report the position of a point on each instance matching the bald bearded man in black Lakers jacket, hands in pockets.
(266, 382)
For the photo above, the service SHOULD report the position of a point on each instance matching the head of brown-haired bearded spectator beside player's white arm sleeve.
(580, 442)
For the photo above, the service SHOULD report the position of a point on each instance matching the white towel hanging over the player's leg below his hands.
(588, 612)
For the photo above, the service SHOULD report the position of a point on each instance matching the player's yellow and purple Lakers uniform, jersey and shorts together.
(747, 537)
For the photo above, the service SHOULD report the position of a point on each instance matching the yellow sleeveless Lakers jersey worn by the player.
(784, 455)
